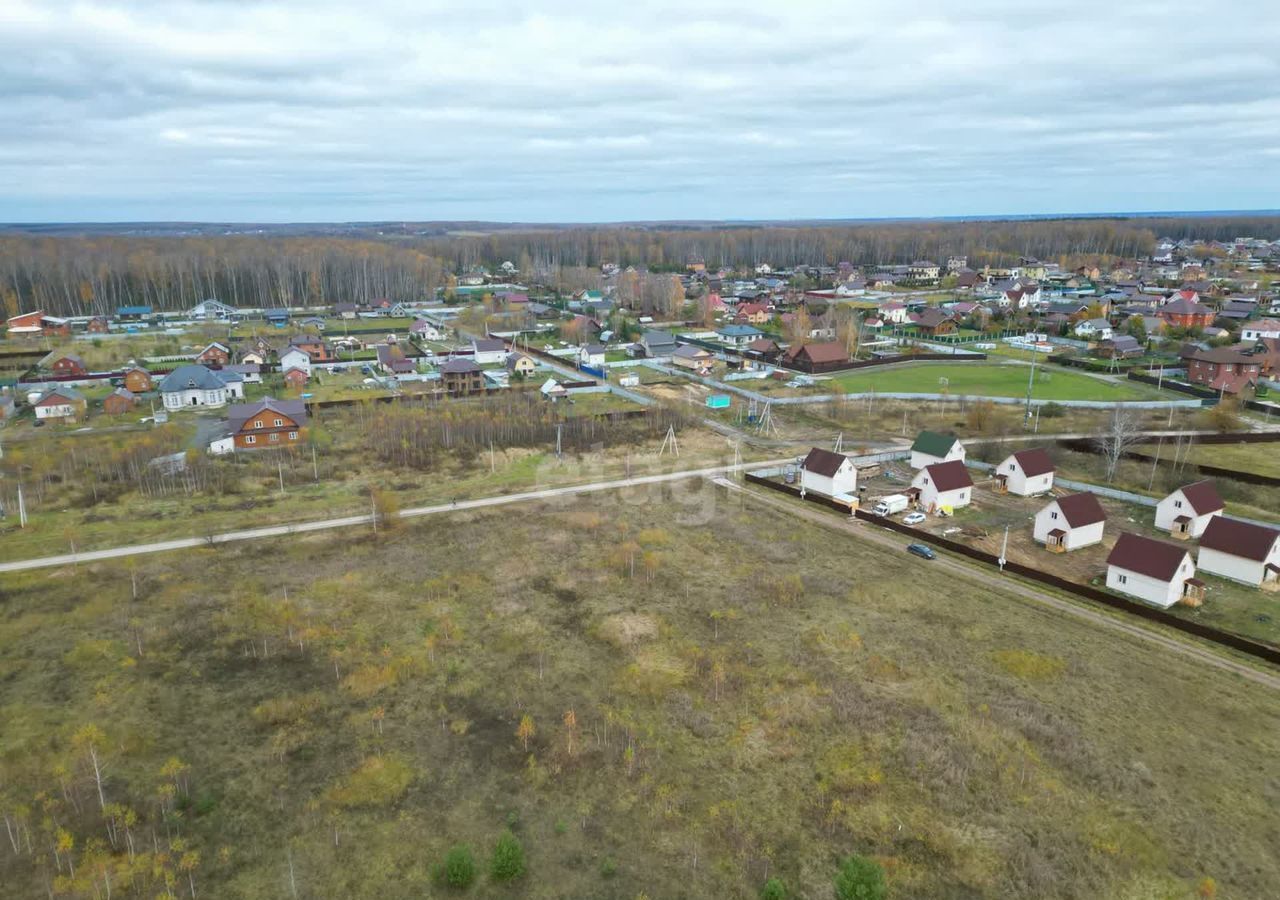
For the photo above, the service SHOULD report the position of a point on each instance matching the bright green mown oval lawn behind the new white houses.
(985, 380)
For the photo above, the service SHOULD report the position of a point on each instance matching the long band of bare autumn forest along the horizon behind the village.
(95, 275)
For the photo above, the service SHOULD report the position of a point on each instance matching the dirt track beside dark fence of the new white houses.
(1011, 586)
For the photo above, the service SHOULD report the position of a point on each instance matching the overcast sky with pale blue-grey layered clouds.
(307, 111)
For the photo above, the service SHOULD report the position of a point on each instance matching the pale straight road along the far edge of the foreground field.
(351, 522)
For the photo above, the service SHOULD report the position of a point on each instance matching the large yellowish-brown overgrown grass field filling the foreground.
(706, 707)
